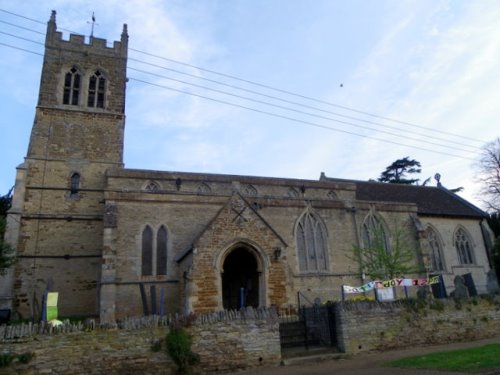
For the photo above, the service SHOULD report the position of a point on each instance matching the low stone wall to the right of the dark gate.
(364, 326)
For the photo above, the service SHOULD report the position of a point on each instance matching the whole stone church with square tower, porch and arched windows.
(117, 242)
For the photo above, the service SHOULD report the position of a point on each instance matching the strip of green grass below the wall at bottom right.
(465, 360)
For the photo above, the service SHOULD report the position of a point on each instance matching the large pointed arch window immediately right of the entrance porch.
(311, 243)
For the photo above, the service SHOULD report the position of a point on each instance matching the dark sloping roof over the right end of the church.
(435, 201)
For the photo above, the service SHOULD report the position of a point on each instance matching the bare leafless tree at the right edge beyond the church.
(489, 175)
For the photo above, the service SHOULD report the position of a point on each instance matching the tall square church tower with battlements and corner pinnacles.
(56, 220)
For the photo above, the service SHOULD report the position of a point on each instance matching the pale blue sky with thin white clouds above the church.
(283, 88)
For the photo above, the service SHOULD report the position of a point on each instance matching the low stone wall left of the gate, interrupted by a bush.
(225, 342)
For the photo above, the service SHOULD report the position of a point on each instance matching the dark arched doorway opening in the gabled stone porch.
(240, 279)
